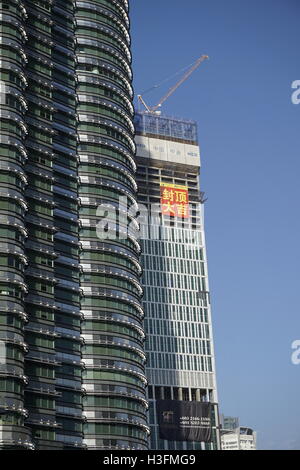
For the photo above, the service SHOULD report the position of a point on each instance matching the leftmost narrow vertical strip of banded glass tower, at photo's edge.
(13, 208)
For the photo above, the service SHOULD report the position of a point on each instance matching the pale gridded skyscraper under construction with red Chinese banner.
(179, 346)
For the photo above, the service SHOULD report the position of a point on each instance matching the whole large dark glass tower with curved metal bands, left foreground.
(71, 337)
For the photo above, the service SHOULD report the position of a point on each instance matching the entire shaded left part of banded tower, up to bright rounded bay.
(41, 344)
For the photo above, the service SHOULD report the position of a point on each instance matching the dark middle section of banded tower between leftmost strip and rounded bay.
(53, 364)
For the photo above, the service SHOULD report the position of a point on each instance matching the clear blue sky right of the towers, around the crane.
(249, 138)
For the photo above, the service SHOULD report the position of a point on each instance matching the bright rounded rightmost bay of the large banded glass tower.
(114, 405)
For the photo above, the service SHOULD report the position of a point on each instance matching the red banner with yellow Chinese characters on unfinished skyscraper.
(174, 200)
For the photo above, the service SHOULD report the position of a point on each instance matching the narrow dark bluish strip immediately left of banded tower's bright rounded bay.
(67, 292)
